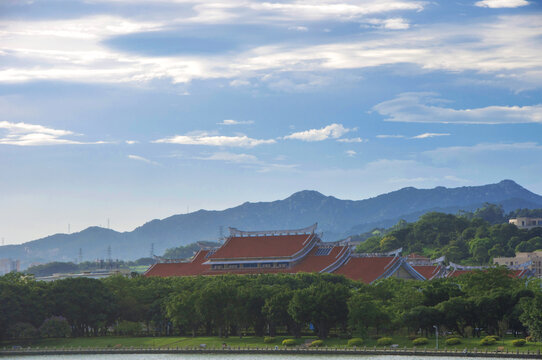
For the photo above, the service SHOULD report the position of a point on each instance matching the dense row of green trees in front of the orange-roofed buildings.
(323, 304)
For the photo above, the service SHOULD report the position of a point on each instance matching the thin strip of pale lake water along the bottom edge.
(233, 357)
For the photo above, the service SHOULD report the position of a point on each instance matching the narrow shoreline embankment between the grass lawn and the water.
(298, 351)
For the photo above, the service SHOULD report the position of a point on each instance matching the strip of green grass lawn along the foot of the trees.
(253, 341)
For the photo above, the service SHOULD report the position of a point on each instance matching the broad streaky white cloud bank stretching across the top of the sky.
(75, 50)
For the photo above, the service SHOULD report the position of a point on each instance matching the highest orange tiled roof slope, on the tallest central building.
(243, 247)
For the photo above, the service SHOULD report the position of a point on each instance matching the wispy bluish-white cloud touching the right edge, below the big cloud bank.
(420, 107)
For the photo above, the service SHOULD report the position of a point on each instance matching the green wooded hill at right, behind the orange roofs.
(470, 238)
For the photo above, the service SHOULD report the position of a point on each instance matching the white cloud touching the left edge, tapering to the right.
(23, 134)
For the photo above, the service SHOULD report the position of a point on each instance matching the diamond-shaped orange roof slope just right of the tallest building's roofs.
(366, 269)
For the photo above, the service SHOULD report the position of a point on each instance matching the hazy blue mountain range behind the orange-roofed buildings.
(336, 218)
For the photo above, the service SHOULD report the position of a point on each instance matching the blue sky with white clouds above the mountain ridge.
(135, 110)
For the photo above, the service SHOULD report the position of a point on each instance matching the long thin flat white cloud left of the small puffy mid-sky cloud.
(207, 139)
